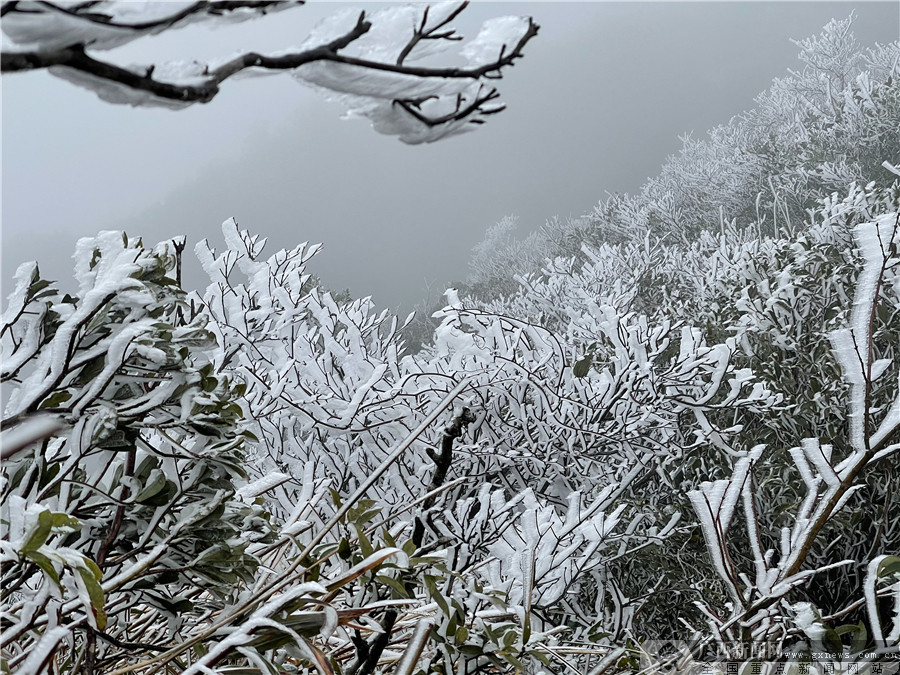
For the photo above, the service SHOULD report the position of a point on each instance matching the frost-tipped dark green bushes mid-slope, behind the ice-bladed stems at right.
(775, 301)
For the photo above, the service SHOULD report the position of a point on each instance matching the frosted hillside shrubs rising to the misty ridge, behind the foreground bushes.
(732, 237)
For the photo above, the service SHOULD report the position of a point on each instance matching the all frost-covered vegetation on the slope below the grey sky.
(667, 428)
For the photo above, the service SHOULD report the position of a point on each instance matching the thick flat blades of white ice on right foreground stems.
(830, 481)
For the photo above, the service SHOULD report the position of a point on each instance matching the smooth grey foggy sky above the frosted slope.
(595, 107)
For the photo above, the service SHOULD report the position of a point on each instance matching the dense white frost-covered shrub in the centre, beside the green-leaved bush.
(581, 414)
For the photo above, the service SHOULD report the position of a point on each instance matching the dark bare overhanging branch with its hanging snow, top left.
(362, 60)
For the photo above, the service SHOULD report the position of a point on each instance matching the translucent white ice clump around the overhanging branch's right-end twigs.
(416, 107)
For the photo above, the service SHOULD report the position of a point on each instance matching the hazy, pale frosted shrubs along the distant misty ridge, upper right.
(815, 131)
